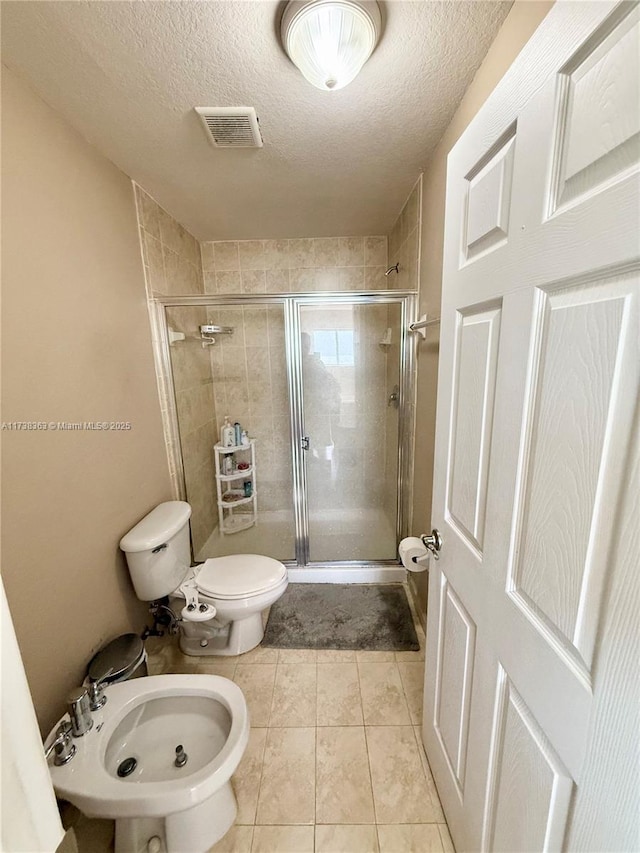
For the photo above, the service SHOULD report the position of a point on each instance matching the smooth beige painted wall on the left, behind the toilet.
(75, 348)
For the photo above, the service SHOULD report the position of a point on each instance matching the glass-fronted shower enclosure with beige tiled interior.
(322, 384)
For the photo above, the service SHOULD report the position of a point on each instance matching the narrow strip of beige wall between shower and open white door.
(522, 21)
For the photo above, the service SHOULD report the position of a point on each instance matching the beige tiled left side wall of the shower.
(172, 266)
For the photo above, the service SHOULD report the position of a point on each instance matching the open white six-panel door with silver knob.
(531, 687)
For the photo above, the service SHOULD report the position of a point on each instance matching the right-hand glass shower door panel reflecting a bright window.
(350, 366)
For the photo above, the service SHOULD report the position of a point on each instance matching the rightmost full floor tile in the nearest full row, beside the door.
(400, 790)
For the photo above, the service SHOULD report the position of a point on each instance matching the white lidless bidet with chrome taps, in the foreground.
(126, 768)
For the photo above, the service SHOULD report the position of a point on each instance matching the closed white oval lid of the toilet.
(239, 575)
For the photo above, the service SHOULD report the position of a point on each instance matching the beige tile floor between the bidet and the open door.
(335, 762)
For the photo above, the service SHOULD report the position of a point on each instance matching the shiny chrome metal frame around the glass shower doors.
(292, 303)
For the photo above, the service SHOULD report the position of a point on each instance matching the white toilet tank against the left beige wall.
(158, 550)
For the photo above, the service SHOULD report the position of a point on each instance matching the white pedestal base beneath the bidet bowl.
(197, 829)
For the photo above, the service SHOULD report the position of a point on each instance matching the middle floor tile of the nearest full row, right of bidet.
(343, 782)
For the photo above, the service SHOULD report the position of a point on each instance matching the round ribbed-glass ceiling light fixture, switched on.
(330, 40)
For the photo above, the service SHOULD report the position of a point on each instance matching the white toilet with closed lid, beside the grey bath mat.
(219, 603)
